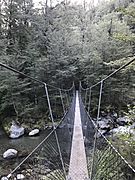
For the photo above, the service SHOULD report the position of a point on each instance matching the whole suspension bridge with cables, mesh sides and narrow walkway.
(72, 150)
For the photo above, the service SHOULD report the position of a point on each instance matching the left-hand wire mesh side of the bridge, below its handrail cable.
(44, 162)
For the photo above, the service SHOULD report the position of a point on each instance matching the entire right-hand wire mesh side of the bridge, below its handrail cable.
(107, 163)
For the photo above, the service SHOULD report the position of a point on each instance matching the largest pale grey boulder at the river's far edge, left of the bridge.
(16, 131)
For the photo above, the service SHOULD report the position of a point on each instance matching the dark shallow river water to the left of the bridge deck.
(27, 144)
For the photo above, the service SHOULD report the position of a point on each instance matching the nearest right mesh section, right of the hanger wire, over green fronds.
(109, 164)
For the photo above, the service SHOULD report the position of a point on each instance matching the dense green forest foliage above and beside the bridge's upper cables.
(62, 44)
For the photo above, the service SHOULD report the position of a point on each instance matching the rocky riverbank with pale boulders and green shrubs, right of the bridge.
(120, 131)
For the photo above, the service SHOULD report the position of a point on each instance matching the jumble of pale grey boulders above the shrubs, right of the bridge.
(112, 125)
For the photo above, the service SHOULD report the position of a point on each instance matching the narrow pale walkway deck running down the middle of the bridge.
(78, 164)
